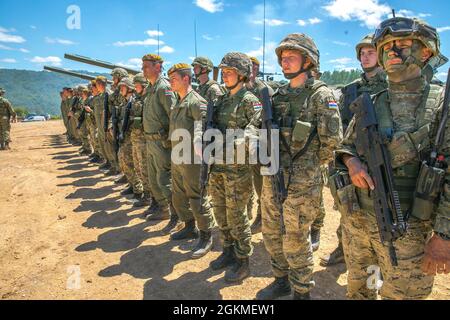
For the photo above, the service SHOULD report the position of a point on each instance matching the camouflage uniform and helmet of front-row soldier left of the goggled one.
(313, 104)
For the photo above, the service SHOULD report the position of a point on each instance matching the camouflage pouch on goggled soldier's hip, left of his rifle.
(344, 192)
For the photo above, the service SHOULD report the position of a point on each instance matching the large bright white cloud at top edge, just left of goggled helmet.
(369, 12)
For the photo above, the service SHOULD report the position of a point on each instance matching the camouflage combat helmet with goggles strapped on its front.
(406, 28)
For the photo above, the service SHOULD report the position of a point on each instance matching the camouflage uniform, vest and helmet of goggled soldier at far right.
(409, 108)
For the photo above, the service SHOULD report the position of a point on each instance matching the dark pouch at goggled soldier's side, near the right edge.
(429, 187)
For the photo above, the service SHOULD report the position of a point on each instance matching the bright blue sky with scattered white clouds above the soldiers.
(34, 33)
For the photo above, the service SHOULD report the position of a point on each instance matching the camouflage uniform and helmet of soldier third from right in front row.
(230, 185)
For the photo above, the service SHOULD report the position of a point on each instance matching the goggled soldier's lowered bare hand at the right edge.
(437, 256)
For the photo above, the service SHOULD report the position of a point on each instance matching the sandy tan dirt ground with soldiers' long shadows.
(66, 233)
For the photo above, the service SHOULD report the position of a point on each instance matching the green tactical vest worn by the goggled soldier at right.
(408, 147)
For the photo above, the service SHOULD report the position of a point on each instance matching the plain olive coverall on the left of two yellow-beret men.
(157, 105)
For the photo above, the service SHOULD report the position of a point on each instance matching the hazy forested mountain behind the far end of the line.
(38, 91)
